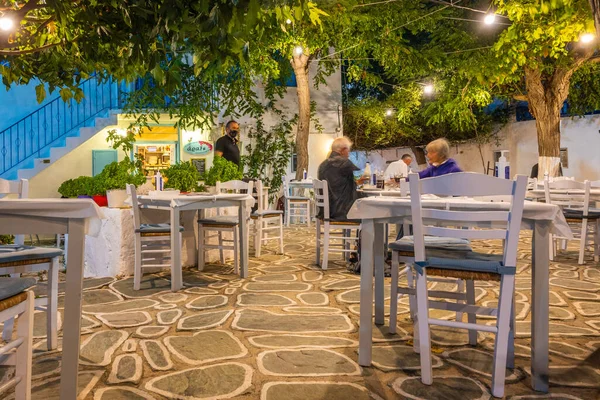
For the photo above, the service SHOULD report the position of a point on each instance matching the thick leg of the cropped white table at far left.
(72, 312)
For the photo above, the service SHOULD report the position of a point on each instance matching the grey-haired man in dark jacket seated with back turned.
(338, 171)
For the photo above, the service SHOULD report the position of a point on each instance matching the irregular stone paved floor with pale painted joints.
(290, 332)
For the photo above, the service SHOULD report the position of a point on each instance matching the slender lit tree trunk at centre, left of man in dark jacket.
(300, 66)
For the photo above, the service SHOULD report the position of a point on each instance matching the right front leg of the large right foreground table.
(540, 307)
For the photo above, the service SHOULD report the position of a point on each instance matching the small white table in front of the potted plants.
(197, 202)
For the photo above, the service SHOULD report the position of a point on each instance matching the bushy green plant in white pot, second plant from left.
(113, 179)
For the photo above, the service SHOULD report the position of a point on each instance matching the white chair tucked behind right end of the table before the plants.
(220, 224)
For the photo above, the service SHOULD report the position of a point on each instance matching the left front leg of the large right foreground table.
(366, 294)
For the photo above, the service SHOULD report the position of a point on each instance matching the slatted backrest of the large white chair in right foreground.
(504, 224)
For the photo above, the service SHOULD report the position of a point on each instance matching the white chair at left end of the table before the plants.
(152, 242)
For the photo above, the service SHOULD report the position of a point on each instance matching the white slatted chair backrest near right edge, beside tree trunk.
(568, 194)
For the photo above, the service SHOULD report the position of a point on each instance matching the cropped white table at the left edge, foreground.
(75, 217)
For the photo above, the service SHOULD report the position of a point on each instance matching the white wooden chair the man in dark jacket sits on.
(338, 230)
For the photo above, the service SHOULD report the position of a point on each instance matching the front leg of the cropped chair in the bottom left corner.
(25, 350)
